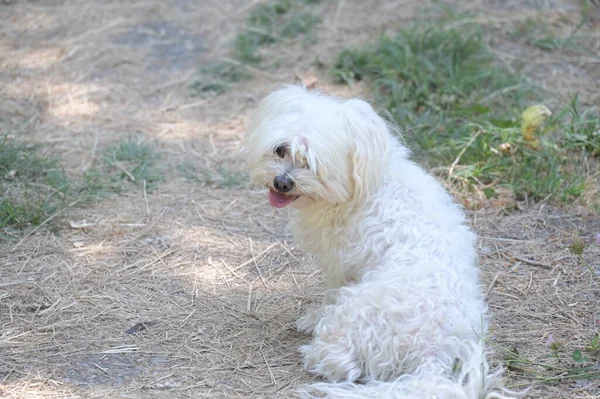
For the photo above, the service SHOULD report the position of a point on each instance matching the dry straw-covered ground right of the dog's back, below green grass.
(540, 292)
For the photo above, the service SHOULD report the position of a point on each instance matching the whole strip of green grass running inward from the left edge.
(34, 186)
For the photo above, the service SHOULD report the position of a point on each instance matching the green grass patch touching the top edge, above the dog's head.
(268, 23)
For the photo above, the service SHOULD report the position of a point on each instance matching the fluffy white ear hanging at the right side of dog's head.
(370, 146)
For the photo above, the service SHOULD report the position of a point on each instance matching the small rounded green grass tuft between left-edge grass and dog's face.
(134, 161)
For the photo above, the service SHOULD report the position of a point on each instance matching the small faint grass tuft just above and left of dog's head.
(216, 79)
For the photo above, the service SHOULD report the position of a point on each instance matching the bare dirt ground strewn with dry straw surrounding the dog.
(211, 272)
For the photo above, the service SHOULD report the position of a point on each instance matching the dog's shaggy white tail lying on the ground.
(473, 380)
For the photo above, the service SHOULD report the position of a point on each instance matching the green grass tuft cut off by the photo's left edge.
(32, 186)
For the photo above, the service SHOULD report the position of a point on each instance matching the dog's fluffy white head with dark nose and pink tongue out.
(308, 148)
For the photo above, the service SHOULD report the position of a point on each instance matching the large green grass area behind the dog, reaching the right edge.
(458, 108)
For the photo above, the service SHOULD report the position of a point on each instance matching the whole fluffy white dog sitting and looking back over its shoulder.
(404, 315)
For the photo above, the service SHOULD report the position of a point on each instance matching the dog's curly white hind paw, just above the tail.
(331, 361)
